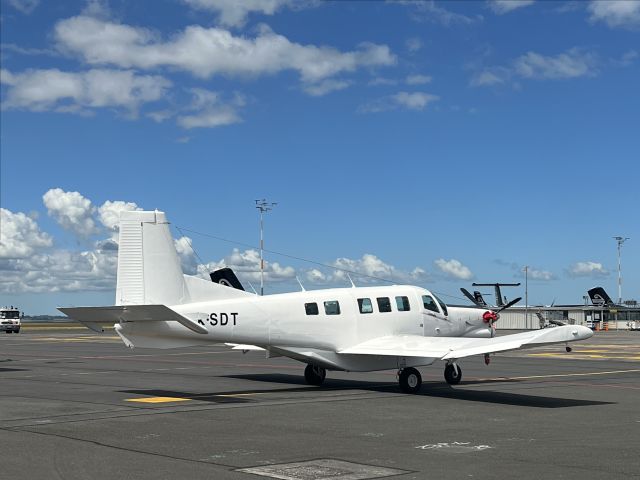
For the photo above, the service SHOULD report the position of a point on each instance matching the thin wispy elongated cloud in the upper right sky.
(573, 63)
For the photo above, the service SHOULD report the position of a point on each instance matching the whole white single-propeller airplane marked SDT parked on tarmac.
(356, 329)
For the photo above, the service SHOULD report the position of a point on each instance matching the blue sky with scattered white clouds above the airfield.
(432, 143)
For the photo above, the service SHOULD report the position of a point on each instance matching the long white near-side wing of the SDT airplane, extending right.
(446, 348)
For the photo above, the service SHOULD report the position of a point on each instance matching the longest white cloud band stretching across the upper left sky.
(210, 51)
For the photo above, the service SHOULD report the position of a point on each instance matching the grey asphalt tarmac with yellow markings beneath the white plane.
(77, 405)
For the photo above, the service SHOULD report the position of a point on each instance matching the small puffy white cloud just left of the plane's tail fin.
(71, 210)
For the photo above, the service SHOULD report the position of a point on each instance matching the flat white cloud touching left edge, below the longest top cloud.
(40, 90)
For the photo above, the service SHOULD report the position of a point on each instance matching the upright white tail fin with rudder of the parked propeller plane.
(149, 270)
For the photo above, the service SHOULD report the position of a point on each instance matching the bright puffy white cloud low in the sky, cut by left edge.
(20, 235)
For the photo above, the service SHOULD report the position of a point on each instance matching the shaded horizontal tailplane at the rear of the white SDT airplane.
(130, 313)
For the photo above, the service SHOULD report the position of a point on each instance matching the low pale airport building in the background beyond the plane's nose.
(596, 317)
